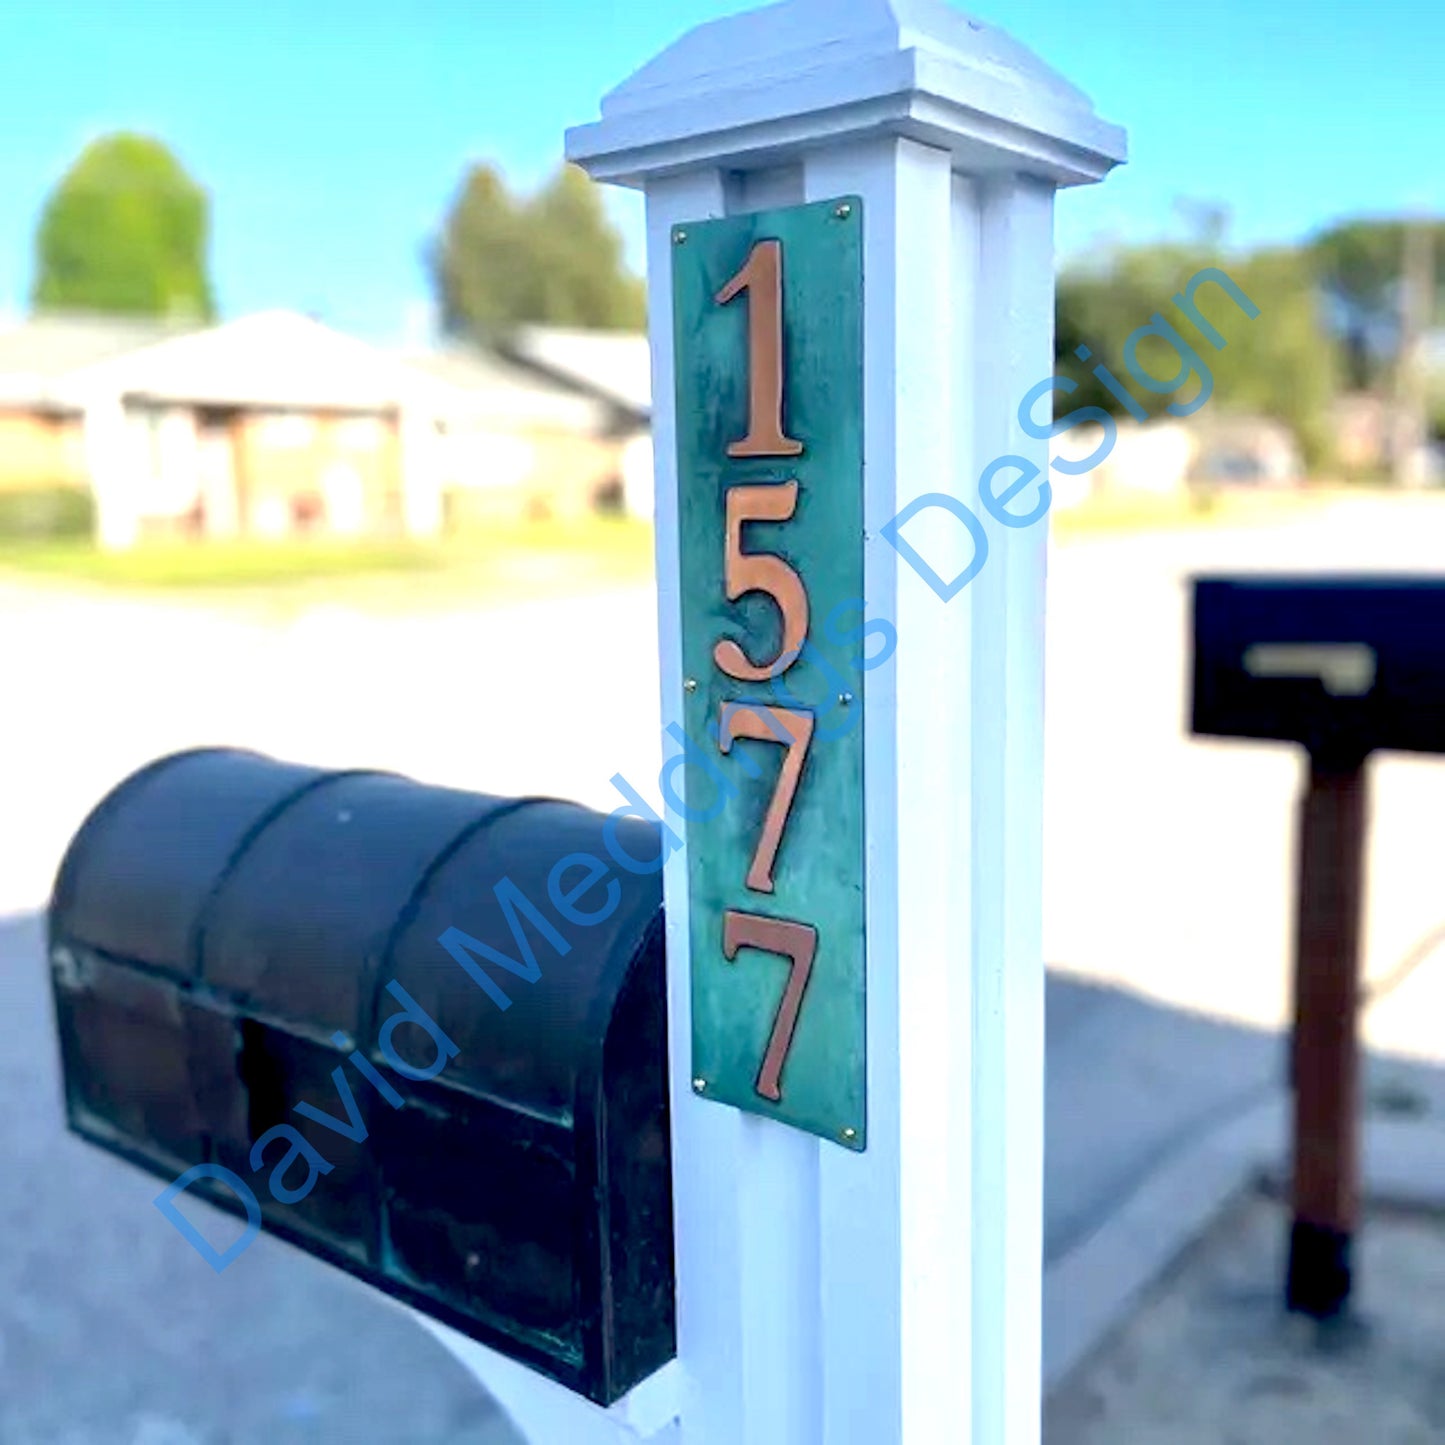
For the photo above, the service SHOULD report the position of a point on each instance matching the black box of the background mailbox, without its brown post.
(1340, 665)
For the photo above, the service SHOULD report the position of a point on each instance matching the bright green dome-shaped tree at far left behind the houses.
(125, 232)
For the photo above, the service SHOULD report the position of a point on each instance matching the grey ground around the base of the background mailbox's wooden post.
(1209, 1360)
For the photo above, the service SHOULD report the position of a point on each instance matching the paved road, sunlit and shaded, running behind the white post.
(1168, 882)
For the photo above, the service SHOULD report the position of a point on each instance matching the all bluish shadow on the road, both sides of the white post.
(113, 1332)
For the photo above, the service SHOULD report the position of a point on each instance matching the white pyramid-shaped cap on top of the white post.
(936, 73)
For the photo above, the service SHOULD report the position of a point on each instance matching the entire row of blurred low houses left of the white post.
(275, 426)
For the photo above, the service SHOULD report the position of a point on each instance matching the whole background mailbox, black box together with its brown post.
(1345, 667)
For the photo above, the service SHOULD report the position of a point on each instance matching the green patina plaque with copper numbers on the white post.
(769, 365)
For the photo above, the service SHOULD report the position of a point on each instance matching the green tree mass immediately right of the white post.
(1280, 365)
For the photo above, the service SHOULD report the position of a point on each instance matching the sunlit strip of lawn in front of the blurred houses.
(512, 560)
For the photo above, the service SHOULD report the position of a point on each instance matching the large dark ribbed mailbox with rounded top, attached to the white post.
(222, 937)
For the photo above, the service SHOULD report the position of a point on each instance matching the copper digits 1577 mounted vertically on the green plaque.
(762, 278)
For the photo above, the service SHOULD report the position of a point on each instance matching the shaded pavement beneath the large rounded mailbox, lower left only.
(113, 1332)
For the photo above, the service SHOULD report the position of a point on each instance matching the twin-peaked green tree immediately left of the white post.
(553, 259)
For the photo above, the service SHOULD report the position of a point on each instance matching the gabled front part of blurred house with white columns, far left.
(268, 427)
